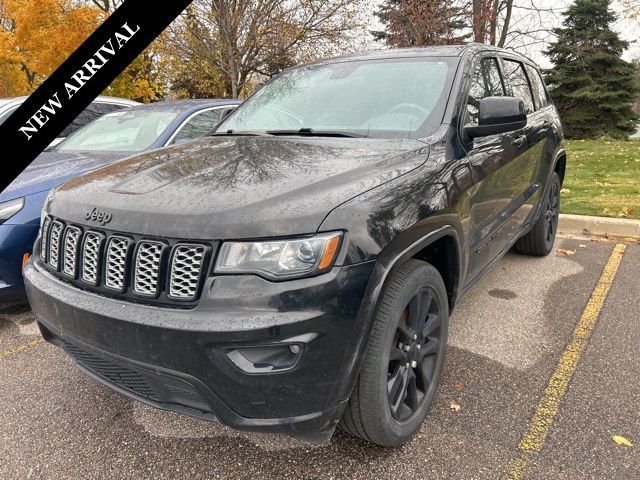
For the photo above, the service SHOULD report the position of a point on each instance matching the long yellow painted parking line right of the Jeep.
(547, 409)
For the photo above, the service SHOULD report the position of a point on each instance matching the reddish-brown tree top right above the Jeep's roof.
(413, 23)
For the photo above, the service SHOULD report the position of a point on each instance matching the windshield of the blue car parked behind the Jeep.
(122, 131)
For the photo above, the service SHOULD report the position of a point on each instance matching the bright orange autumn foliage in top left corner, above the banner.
(36, 36)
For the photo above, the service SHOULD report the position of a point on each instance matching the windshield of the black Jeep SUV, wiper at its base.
(398, 98)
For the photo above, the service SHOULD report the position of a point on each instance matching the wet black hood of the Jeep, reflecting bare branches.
(235, 187)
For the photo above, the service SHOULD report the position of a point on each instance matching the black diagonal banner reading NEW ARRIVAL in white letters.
(80, 79)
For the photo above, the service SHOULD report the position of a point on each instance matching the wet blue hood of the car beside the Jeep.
(52, 168)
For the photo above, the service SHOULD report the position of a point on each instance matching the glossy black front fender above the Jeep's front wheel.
(390, 224)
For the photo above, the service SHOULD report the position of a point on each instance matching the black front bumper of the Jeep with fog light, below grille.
(252, 354)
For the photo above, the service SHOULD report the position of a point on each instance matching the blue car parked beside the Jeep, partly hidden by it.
(110, 138)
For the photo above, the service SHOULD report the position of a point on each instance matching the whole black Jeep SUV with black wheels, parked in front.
(295, 270)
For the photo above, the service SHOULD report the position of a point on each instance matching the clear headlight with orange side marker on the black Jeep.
(280, 259)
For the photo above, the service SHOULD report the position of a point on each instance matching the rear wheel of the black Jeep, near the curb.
(540, 239)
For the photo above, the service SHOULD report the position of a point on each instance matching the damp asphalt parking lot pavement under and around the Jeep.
(510, 335)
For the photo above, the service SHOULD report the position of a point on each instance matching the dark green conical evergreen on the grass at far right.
(592, 86)
